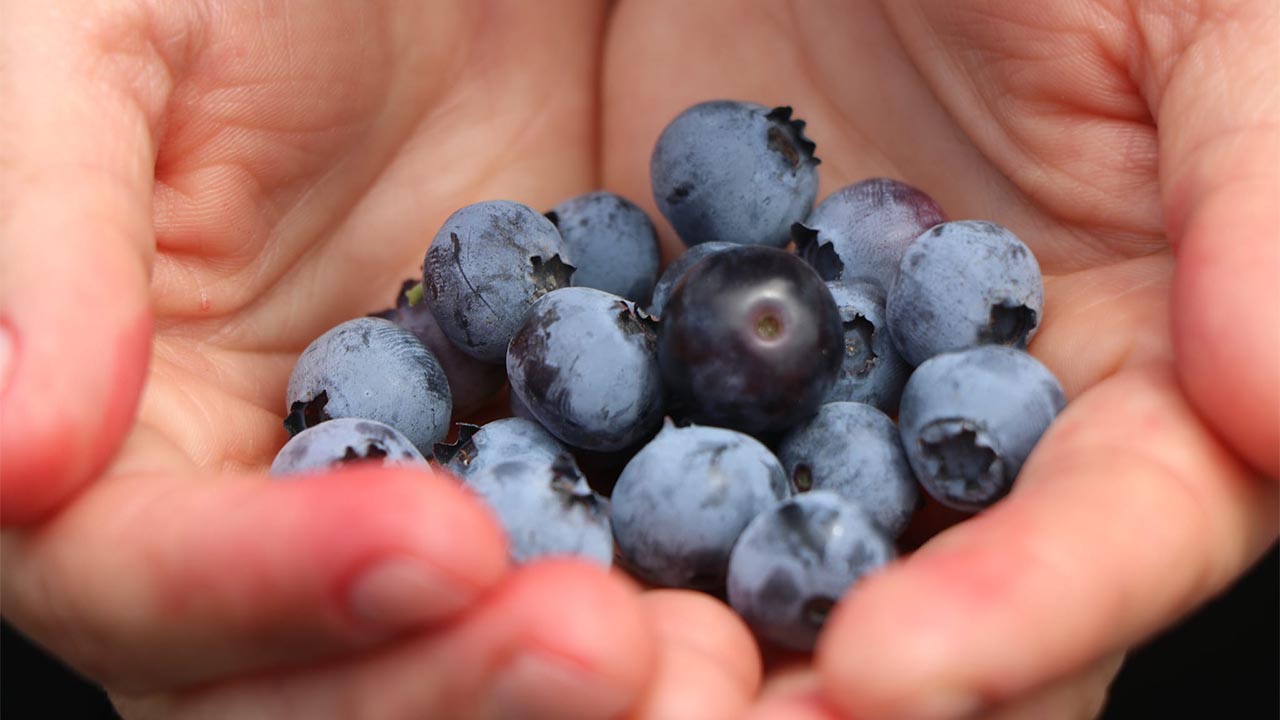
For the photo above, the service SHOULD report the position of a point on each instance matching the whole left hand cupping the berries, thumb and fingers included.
(198, 190)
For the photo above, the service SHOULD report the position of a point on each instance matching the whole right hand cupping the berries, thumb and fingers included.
(1162, 315)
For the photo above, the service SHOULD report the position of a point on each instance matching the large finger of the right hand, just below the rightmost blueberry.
(1127, 517)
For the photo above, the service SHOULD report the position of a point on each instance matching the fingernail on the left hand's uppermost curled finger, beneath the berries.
(404, 591)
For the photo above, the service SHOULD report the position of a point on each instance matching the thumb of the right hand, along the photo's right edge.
(1219, 117)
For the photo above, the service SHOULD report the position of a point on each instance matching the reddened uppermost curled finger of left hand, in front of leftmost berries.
(152, 582)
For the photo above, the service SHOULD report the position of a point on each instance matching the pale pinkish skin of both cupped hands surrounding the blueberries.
(195, 192)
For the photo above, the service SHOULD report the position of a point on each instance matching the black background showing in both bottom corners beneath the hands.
(1224, 662)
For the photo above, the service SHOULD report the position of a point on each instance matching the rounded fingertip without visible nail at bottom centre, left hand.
(708, 664)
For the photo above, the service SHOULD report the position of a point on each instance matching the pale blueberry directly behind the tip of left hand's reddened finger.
(547, 509)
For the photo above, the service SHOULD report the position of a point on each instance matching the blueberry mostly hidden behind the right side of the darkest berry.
(872, 371)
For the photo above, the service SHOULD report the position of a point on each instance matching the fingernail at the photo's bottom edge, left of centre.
(538, 687)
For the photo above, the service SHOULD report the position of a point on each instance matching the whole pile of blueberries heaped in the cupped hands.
(737, 411)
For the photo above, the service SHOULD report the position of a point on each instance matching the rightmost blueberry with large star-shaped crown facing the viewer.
(970, 420)
